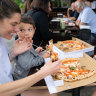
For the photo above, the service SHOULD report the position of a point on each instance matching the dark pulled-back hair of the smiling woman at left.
(8, 8)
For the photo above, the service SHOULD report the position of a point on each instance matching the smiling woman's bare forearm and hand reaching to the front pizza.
(16, 87)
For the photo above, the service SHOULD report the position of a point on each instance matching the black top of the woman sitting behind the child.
(42, 33)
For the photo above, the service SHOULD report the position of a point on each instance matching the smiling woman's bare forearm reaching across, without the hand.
(13, 88)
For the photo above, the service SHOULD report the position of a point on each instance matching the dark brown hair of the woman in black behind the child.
(40, 5)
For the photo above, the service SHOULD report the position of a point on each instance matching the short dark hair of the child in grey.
(27, 19)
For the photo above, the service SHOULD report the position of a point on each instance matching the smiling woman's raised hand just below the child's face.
(21, 46)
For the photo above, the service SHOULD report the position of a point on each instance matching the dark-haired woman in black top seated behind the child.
(39, 12)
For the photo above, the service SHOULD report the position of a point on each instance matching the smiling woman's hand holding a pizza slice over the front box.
(51, 68)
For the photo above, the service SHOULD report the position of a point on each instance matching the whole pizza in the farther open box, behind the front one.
(70, 45)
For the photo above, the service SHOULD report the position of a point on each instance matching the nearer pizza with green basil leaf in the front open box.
(72, 71)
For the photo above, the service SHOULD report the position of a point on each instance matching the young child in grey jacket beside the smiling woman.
(31, 58)
